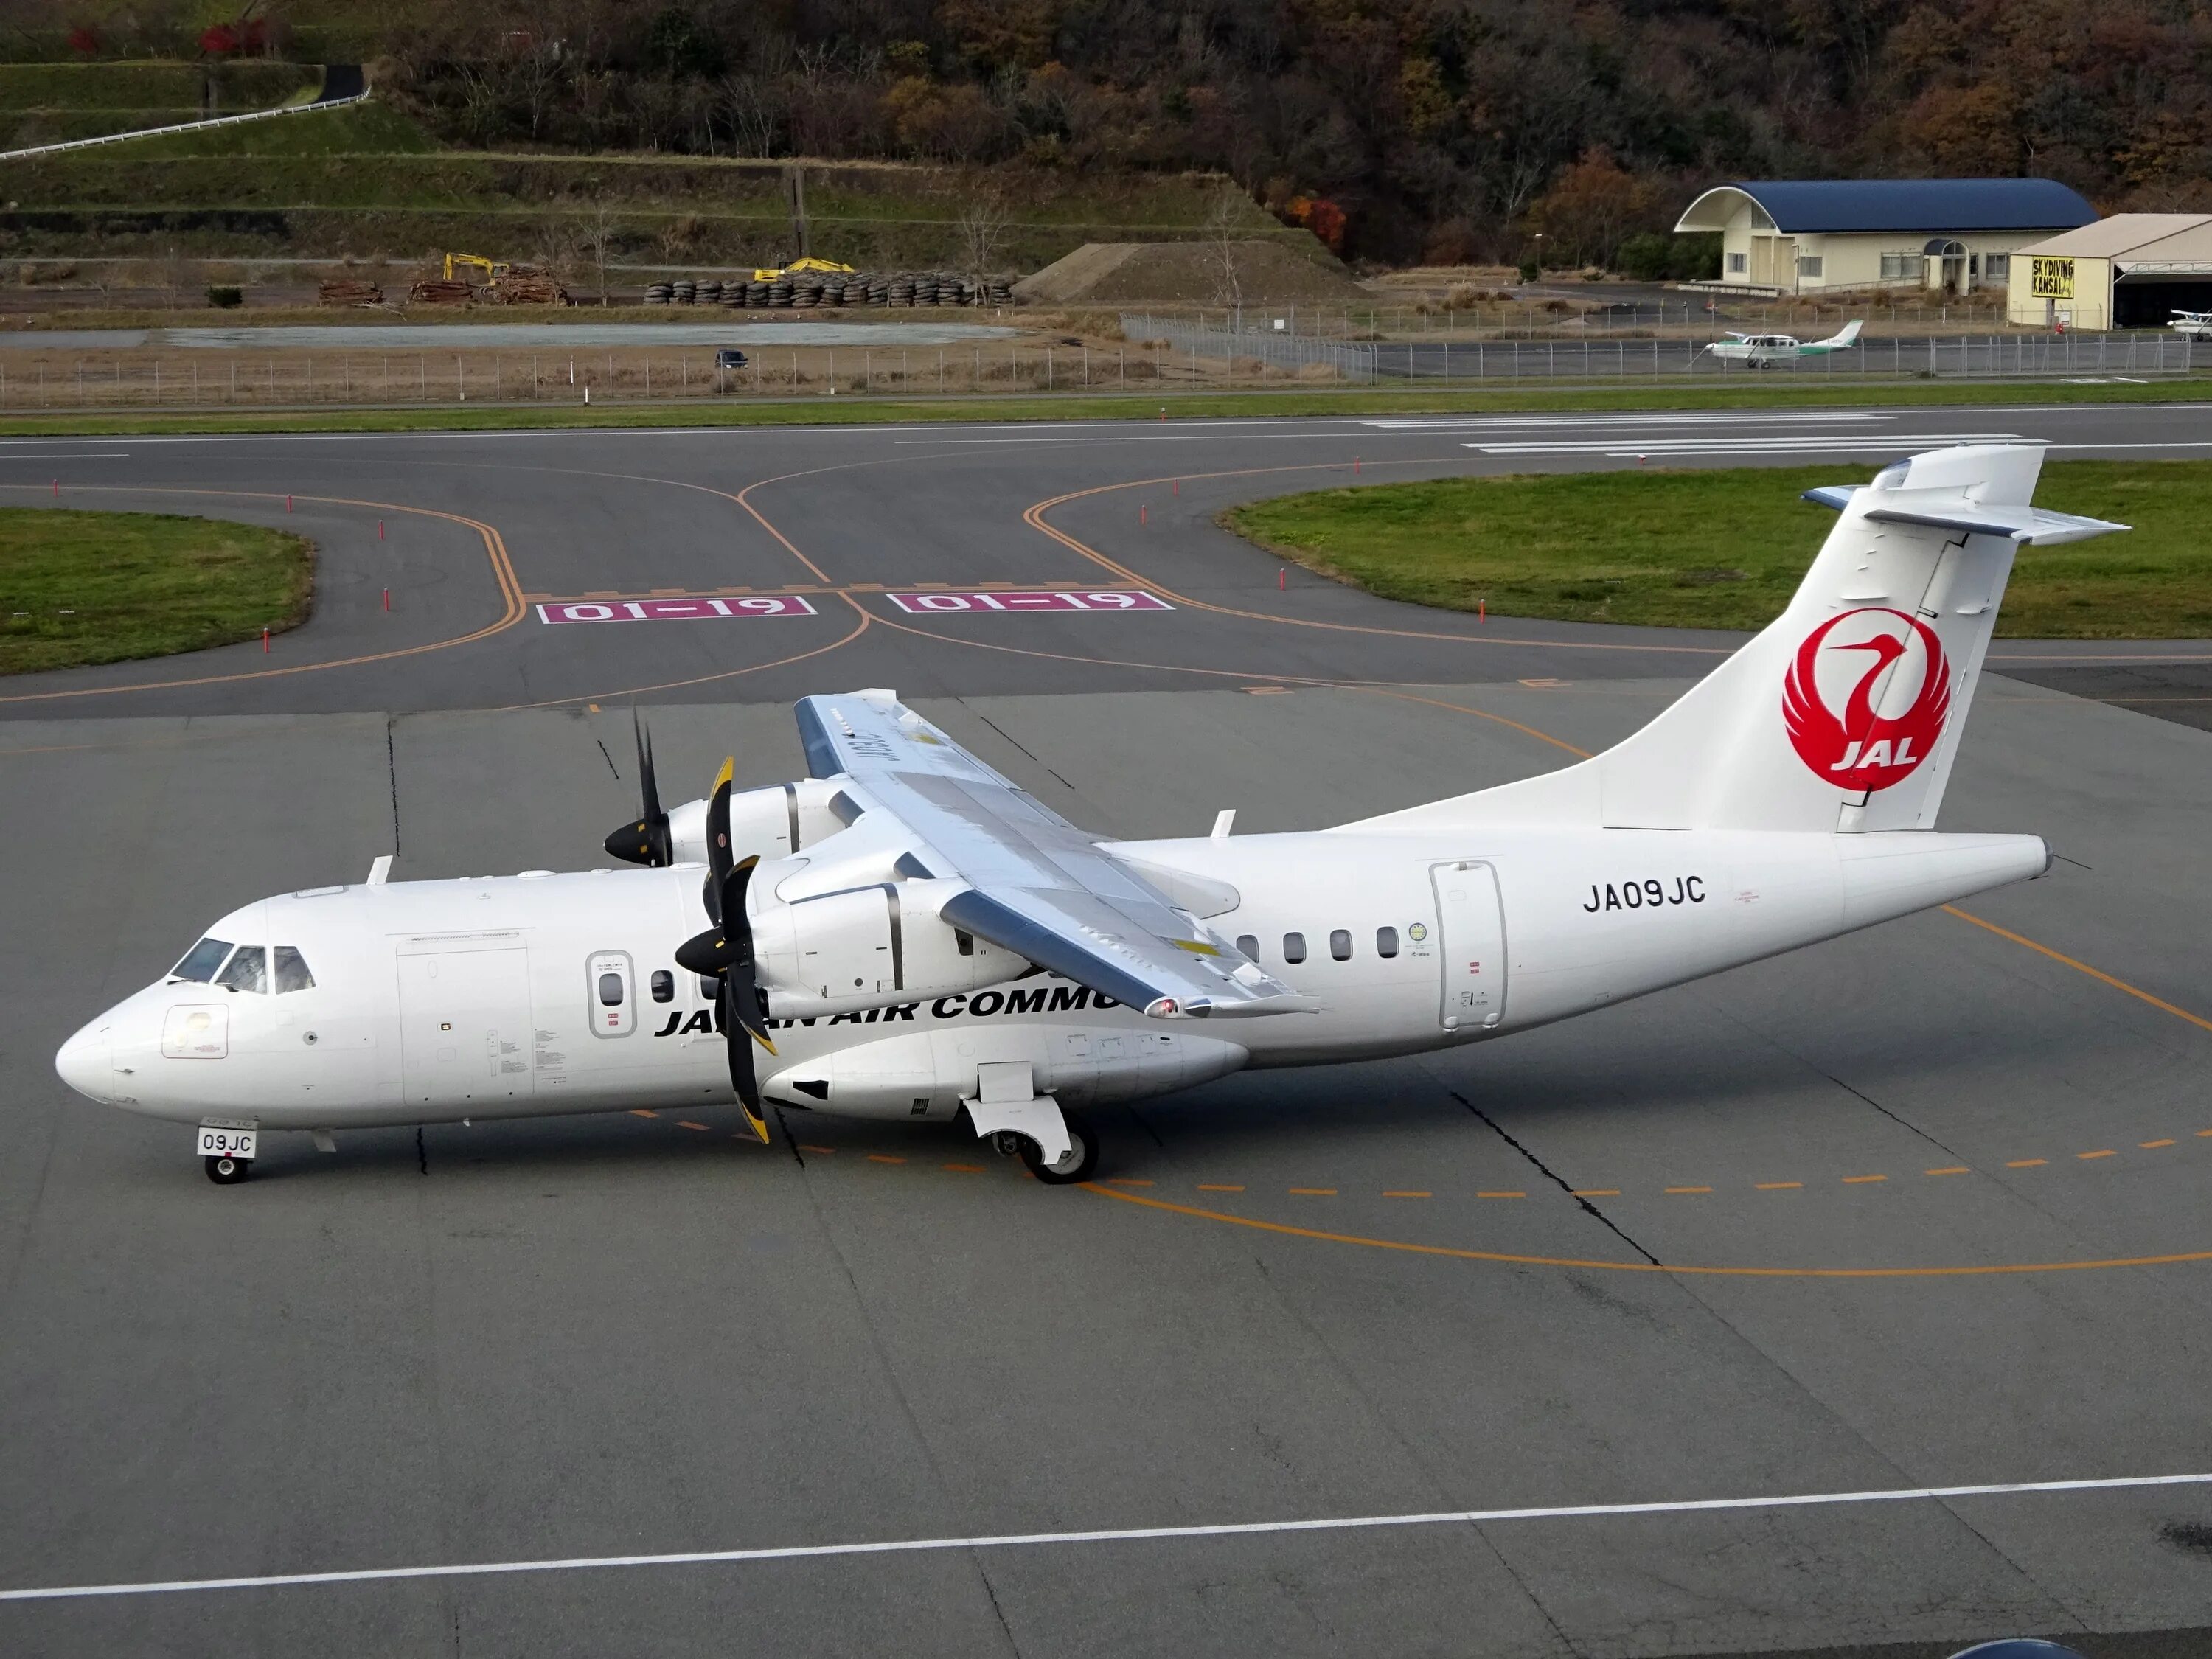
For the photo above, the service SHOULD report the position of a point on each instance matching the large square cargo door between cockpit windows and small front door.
(466, 1023)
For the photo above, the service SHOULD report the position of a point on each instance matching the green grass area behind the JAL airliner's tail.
(1726, 550)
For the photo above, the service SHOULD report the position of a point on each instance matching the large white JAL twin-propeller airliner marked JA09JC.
(906, 935)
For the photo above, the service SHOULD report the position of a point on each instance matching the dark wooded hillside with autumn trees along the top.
(1395, 129)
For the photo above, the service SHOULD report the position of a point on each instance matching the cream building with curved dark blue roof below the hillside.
(1939, 236)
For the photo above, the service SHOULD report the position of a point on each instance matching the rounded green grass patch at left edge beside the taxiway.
(114, 587)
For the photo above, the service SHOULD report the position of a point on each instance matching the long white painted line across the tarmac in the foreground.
(1109, 1536)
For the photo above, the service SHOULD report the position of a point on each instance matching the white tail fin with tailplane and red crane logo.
(1846, 711)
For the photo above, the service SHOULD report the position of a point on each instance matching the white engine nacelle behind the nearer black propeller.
(868, 948)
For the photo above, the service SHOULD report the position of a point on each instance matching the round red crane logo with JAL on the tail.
(1859, 749)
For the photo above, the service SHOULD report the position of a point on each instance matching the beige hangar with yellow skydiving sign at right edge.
(2129, 271)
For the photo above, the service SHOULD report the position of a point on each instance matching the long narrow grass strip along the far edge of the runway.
(862, 410)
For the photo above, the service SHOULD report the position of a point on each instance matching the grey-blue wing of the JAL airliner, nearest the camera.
(1039, 886)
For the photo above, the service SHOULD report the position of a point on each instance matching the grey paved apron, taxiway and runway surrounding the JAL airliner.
(1682, 1328)
